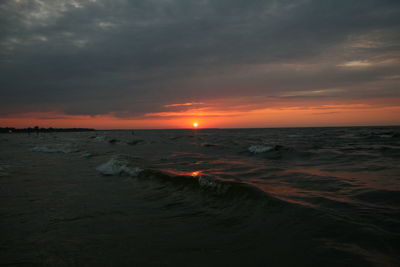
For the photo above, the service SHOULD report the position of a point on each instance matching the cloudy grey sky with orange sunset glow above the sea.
(120, 64)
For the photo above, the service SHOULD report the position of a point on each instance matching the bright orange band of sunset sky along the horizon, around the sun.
(375, 112)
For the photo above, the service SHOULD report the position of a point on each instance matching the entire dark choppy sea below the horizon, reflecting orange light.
(277, 197)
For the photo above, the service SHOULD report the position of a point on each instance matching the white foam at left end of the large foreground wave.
(120, 164)
